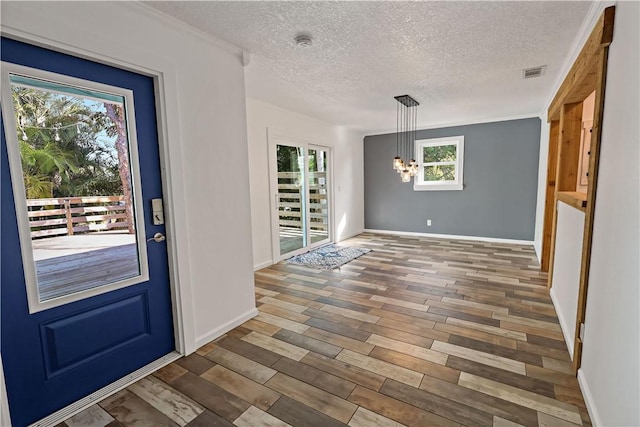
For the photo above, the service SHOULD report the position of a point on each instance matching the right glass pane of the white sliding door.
(318, 196)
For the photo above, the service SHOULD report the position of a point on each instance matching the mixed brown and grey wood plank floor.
(418, 332)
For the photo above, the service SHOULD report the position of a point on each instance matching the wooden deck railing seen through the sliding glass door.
(290, 195)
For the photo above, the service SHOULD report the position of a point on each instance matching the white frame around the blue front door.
(164, 77)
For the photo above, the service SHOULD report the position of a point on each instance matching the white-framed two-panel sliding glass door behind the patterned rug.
(300, 190)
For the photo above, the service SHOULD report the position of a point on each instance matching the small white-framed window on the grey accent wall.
(440, 164)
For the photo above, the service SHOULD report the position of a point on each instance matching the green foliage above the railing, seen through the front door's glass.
(66, 145)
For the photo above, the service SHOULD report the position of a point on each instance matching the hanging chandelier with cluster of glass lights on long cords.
(406, 119)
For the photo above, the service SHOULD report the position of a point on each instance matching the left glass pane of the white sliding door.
(291, 198)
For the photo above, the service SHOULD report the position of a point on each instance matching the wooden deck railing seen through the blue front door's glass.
(71, 215)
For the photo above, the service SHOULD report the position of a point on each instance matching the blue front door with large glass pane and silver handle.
(55, 356)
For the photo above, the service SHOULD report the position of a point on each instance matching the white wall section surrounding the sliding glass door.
(348, 171)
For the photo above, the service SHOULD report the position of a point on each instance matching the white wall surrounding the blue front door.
(205, 124)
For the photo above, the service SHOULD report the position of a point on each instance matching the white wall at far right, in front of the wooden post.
(610, 375)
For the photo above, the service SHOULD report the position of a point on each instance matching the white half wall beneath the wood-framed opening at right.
(567, 261)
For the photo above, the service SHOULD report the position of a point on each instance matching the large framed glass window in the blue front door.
(74, 166)
